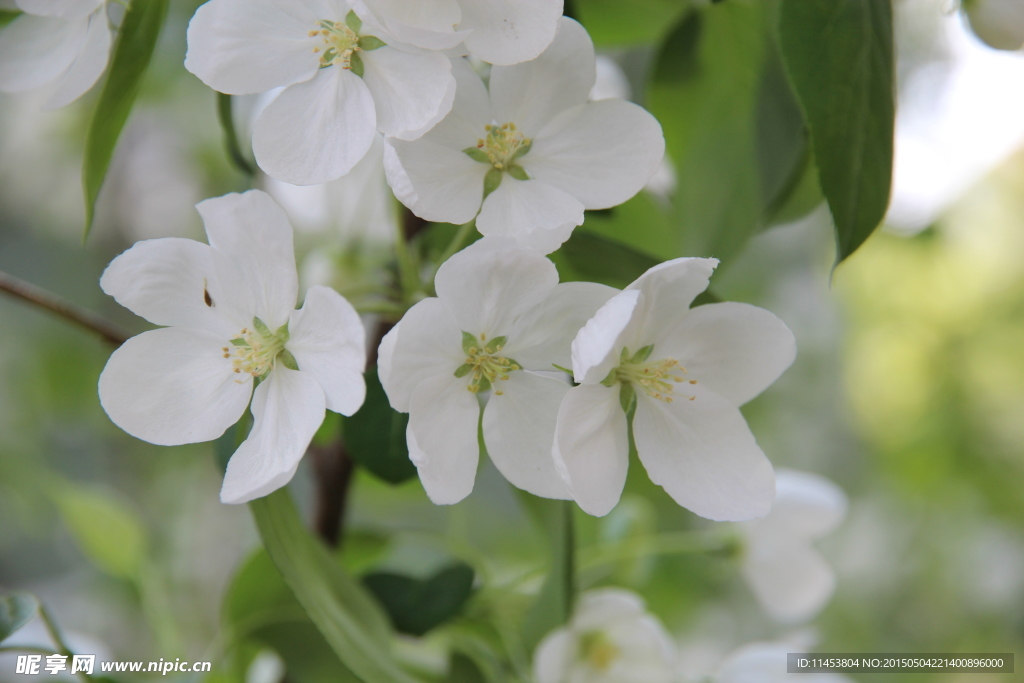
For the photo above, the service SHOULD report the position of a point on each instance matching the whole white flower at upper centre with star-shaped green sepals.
(533, 153)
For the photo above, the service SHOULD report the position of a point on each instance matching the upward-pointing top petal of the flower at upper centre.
(531, 95)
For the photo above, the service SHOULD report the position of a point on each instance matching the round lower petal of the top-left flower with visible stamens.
(316, 132)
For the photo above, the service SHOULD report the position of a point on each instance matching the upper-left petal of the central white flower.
(425, 346)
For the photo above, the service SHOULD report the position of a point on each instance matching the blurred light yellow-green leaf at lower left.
(106, 530)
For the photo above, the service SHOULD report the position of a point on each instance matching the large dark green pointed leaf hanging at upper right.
(839, 55)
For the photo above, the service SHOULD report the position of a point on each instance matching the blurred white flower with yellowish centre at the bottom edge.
(611, 639)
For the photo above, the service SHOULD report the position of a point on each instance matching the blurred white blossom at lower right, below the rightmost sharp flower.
(788, 576)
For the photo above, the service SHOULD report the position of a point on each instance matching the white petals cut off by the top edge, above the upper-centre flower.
(502, 33)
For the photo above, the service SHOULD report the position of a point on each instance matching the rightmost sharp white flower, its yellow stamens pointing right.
(688, 371)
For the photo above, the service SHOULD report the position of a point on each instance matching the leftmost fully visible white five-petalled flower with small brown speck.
(231, 318)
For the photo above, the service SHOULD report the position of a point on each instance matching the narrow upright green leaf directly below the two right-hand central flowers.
(554, 605)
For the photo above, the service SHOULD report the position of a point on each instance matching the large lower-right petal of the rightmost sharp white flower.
(704, 455)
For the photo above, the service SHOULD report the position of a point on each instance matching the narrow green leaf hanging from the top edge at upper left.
(130, 61)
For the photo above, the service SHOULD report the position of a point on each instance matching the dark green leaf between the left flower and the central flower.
(376, 436)
